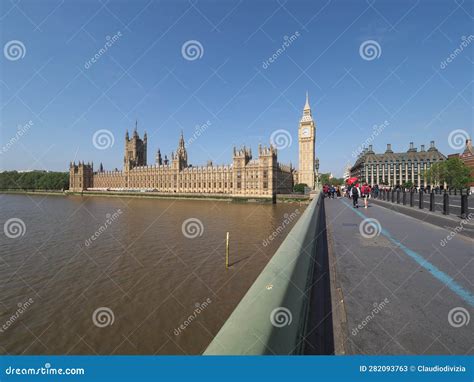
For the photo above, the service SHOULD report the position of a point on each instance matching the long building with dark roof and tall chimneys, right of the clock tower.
(395, 169)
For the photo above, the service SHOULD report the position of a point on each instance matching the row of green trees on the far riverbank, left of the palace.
(34, 180)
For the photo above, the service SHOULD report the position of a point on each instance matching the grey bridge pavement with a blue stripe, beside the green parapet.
(406, 288)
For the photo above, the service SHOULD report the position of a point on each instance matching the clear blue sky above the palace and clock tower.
(144, 76)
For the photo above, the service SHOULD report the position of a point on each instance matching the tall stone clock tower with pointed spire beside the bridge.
(306, 140)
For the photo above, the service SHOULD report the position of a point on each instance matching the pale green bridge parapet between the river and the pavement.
(272, 317)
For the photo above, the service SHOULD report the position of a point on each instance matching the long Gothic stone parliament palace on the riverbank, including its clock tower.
(245, 176)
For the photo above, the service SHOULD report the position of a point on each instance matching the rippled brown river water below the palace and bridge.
(107, 275)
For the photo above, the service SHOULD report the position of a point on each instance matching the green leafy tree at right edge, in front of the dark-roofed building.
(452, 171)
